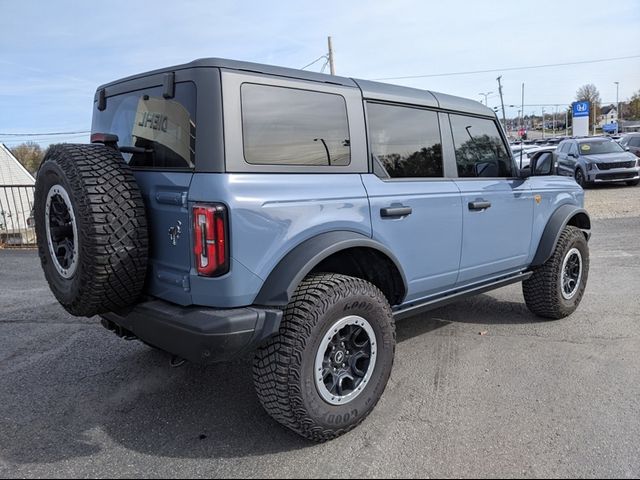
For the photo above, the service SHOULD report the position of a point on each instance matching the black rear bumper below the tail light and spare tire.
(198, 334)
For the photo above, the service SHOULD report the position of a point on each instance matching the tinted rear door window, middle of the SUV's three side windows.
(405, 141)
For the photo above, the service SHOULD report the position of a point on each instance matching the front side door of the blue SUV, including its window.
(497, 207)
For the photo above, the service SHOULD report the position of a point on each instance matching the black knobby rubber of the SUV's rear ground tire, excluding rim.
(284, 368)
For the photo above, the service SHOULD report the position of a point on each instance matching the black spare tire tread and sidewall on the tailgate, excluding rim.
(112, 243)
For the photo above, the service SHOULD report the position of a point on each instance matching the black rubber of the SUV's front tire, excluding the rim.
(543, 290)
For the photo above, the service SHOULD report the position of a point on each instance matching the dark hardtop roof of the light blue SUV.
(370, 89)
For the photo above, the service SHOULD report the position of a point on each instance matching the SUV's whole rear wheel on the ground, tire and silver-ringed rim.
(327, 368)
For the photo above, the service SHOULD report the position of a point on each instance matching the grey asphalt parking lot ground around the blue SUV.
(479, 388)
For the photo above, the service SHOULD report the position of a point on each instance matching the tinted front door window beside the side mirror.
(480, 149)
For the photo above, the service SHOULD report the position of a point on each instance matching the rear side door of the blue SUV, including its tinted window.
(415, 210)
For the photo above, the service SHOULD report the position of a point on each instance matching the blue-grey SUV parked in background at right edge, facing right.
(597, 160)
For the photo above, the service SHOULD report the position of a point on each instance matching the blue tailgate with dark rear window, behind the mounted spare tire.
(156, 133)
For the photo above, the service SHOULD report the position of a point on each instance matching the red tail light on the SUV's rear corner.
(210, 239)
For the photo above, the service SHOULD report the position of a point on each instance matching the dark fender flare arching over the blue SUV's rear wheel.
(279, 286)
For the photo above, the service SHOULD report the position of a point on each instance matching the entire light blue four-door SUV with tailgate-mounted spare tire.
(226, 207)
